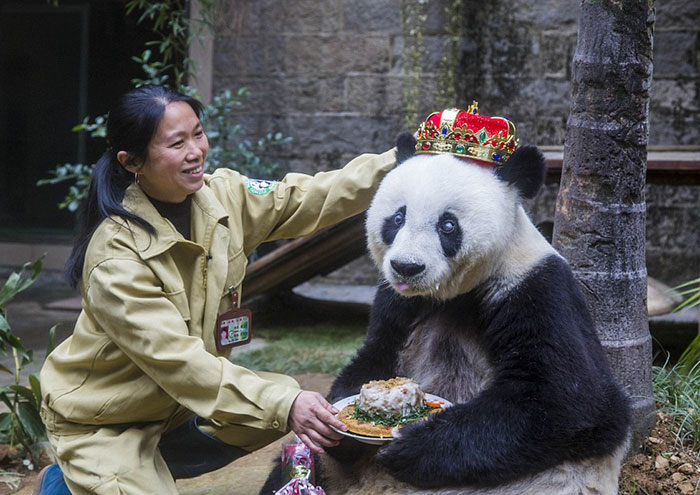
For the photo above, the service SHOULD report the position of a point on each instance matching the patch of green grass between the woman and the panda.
(304, 349)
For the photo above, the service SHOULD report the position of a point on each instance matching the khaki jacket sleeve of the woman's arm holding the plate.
(125, 296)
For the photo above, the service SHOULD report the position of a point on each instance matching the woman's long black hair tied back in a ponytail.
(131, 125)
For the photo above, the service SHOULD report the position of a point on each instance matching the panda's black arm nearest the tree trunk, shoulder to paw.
(552, 398)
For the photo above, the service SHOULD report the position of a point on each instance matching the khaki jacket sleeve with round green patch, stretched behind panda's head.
(301, 204)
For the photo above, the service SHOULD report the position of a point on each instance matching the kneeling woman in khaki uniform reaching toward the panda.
(143, 392)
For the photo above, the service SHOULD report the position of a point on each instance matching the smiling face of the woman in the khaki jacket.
(174, 167)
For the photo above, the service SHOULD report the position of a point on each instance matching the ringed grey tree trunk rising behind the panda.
(599, 223)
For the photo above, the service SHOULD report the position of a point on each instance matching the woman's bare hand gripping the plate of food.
(310, 418)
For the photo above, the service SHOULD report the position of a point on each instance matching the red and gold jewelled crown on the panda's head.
(466, 134)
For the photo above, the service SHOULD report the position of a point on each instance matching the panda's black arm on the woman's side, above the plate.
(389, 324)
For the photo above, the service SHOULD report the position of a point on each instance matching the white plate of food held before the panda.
(382, 407)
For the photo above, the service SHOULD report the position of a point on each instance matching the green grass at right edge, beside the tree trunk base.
(677, 389)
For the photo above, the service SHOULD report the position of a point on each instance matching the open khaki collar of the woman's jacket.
(206, 213)
